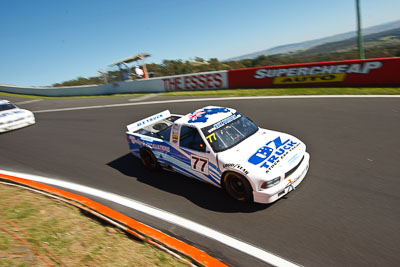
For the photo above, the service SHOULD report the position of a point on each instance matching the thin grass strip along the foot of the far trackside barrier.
(255, 92)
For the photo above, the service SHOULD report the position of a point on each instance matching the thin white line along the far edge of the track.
(213, 99)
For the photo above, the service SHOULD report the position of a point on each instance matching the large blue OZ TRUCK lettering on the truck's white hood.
(269, 155)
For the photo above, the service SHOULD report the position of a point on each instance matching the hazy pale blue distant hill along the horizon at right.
(318, 44)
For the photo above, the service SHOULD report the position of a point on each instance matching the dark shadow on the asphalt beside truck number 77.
(202, 194)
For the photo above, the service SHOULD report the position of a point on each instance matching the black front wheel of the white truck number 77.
(238, 187)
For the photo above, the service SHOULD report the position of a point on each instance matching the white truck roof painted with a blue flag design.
(206, 116)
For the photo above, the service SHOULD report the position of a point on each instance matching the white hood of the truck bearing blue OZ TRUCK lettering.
(264, 155)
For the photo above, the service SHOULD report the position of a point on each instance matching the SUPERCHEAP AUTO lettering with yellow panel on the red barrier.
(316, 74)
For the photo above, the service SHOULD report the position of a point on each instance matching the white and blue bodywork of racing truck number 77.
(264, 157)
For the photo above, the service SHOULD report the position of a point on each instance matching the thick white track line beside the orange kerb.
(244, 247)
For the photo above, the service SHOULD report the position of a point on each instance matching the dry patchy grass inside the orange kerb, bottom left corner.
(36, 230)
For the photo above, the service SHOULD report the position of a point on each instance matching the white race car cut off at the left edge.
(12, 117)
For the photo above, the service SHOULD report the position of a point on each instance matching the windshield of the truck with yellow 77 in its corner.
(229, 132)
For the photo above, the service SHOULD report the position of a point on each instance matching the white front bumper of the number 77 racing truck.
(284, 187)
